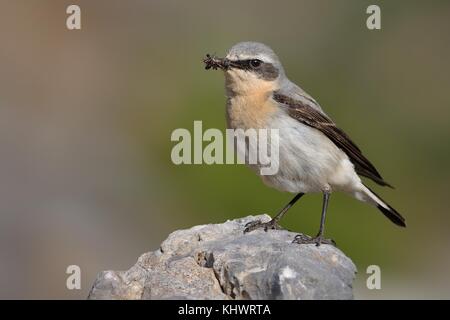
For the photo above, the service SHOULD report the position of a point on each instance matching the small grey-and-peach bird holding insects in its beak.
(315, 155)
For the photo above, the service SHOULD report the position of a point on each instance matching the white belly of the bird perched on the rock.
(308, 160)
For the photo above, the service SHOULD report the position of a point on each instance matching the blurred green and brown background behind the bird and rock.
(86, 118)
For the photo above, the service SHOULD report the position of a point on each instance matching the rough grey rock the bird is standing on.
(219, 261)
